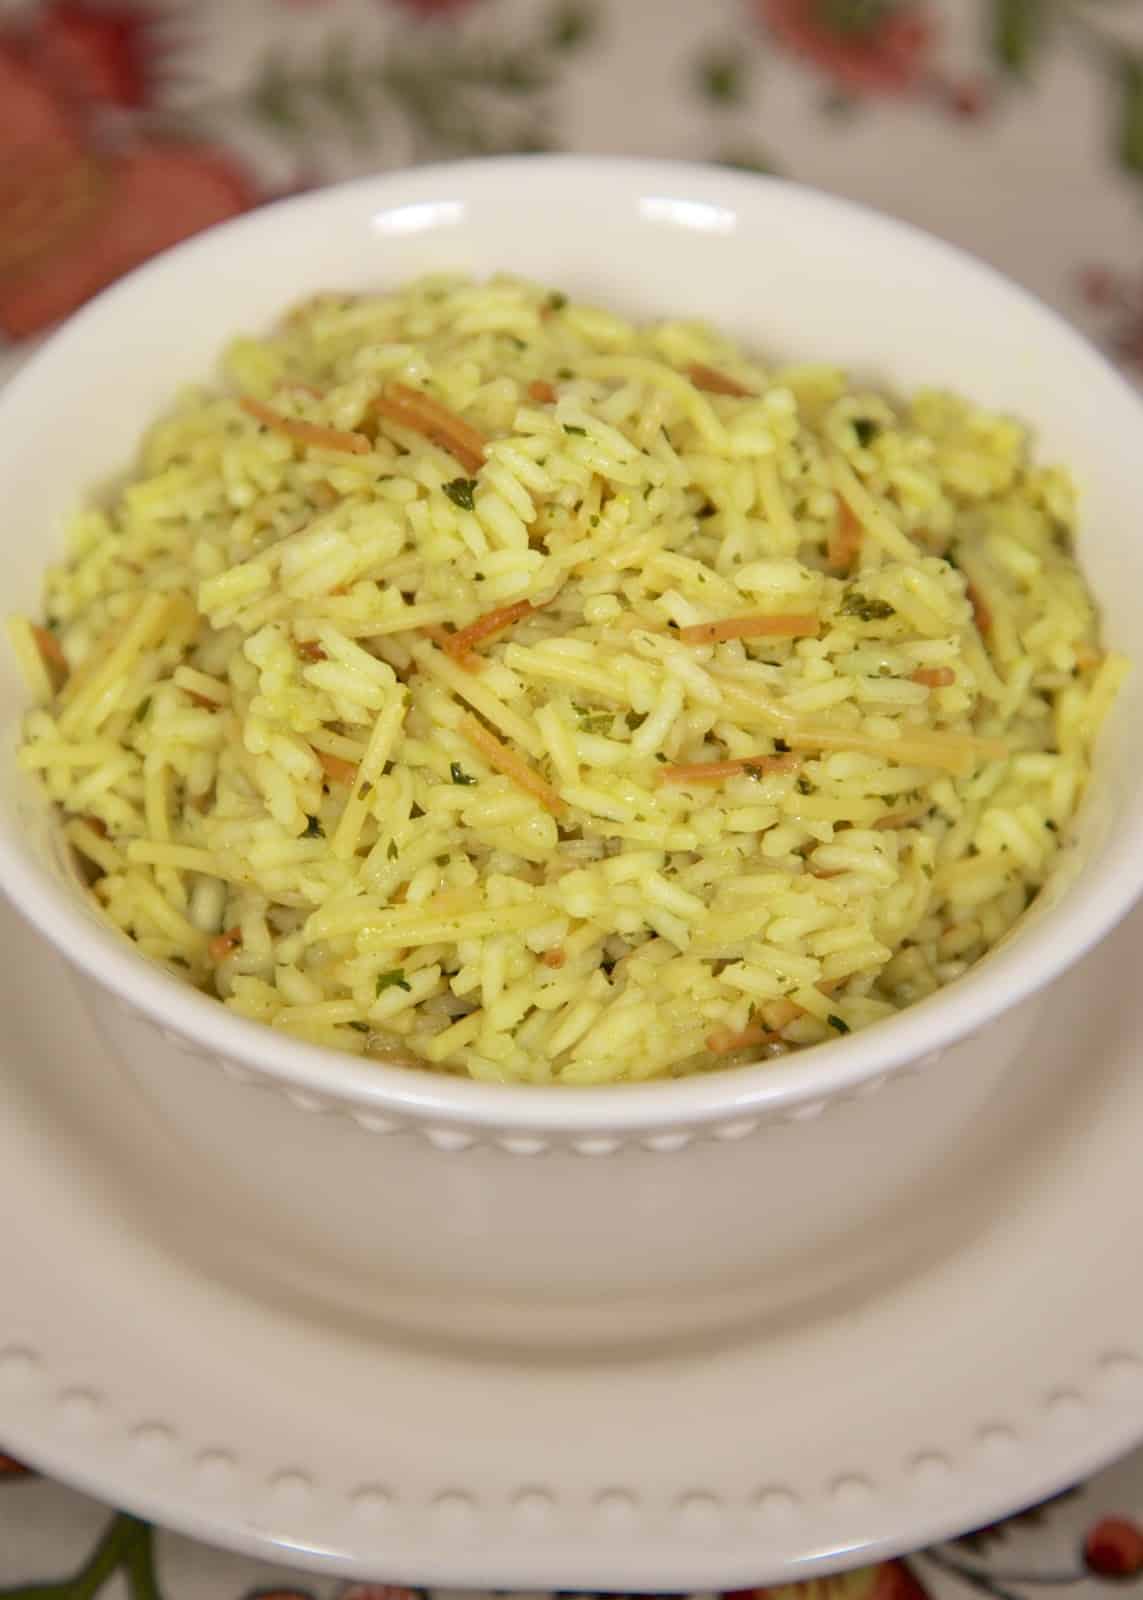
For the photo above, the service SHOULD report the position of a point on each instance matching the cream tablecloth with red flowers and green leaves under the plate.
(1013, 127)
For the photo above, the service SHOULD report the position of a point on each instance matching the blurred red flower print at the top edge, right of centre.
(867, 47)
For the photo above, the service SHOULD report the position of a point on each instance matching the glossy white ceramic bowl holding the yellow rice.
(624, 1212)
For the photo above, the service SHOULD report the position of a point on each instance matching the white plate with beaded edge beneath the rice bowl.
(1000, 1361)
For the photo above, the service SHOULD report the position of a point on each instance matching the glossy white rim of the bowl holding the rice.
(916, 1036)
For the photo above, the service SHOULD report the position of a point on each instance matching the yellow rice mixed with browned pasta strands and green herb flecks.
(483, 682)
